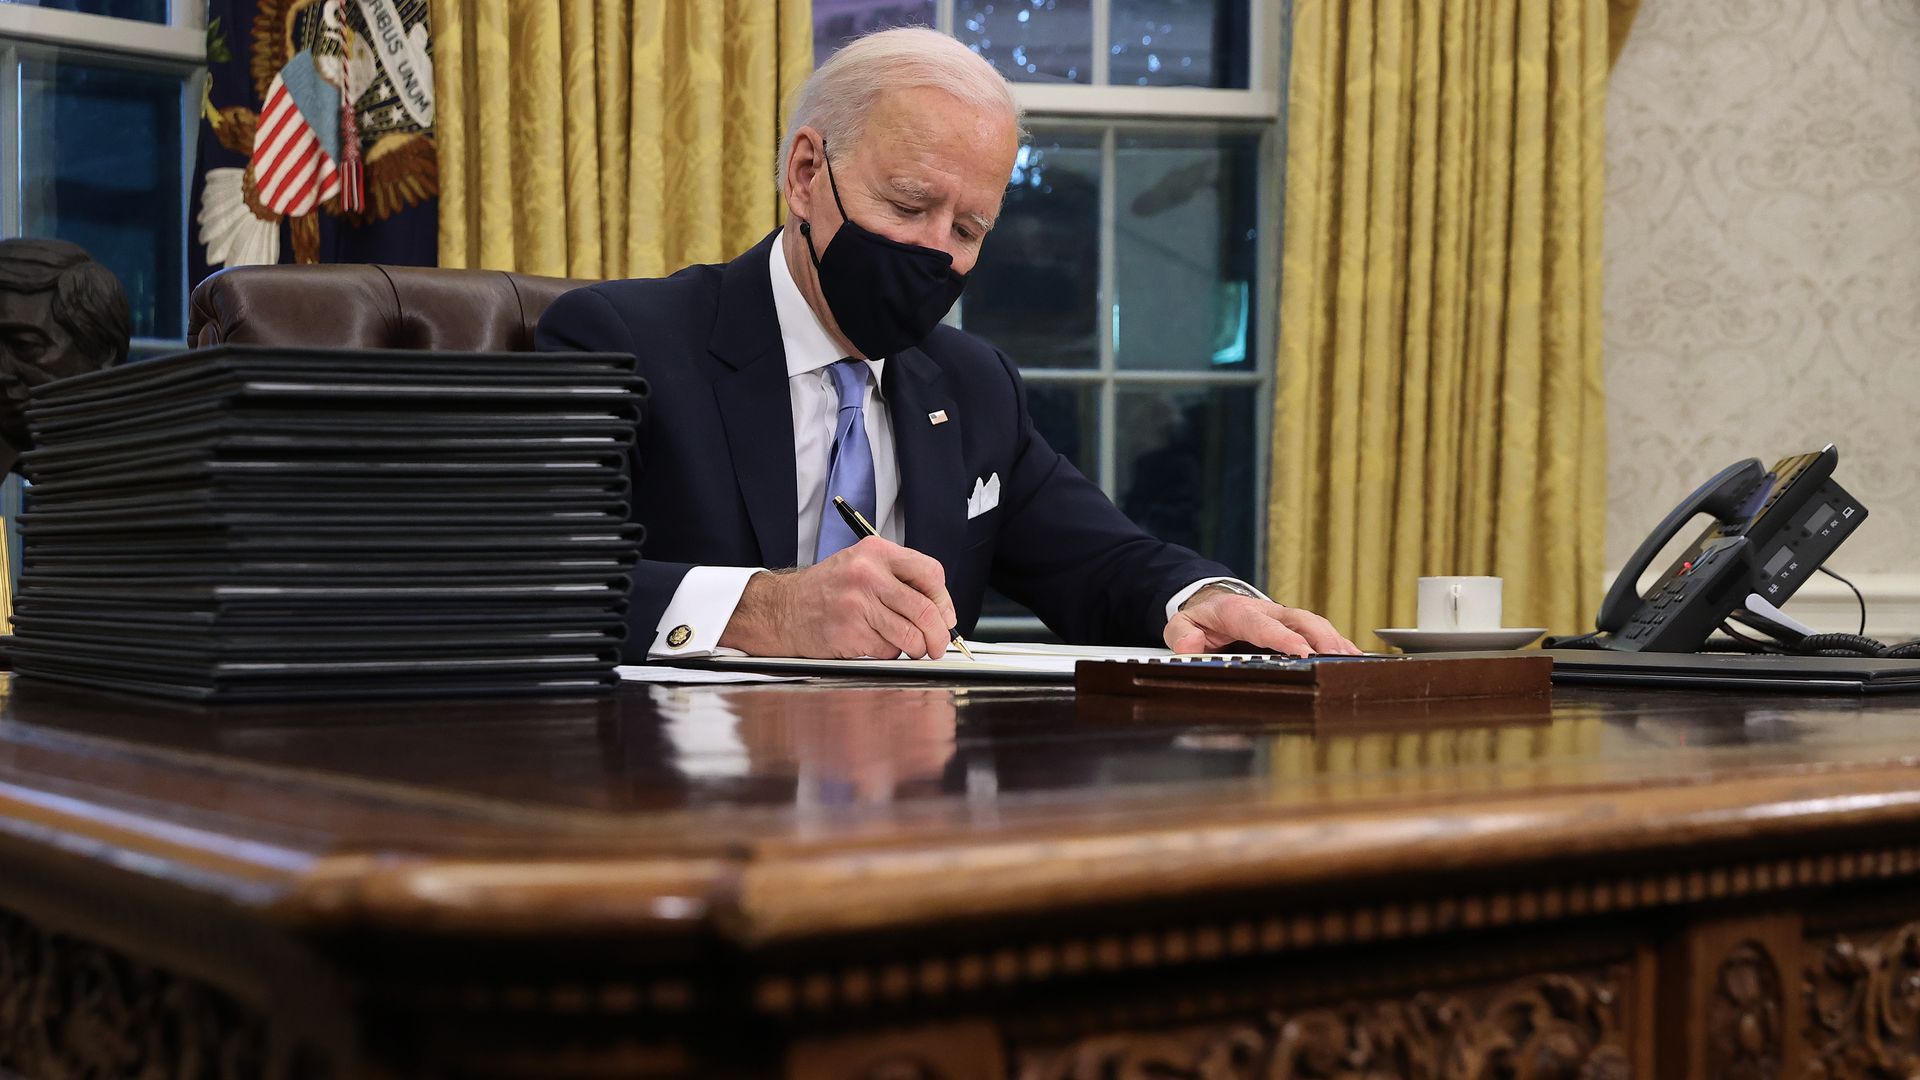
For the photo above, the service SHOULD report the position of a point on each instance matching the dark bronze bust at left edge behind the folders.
(60, 314)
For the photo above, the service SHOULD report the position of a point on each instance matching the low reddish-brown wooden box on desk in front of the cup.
(1318, 683)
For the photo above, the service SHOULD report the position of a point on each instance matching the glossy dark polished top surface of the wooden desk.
(821, 749)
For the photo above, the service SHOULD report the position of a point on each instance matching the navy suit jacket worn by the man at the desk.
(715, 476)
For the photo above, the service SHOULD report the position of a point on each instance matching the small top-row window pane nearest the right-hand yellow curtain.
(1180, 43)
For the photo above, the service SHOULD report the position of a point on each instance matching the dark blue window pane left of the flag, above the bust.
(101, 166)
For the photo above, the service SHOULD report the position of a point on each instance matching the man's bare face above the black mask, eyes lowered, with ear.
(926, 172)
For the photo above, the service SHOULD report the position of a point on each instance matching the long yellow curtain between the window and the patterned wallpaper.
(1441, 405)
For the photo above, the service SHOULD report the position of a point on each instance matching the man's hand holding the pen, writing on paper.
(871, 601)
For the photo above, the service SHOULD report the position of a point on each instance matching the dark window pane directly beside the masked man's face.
(1036, 289)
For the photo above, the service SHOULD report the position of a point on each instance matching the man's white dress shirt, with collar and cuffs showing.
(708, 597)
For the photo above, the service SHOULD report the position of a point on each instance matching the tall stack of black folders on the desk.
(281, 524)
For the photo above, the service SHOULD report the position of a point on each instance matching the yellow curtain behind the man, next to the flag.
(612, 137)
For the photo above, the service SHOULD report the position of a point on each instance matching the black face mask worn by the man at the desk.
(884, 295)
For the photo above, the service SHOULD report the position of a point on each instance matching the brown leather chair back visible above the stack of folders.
(373, 307)
